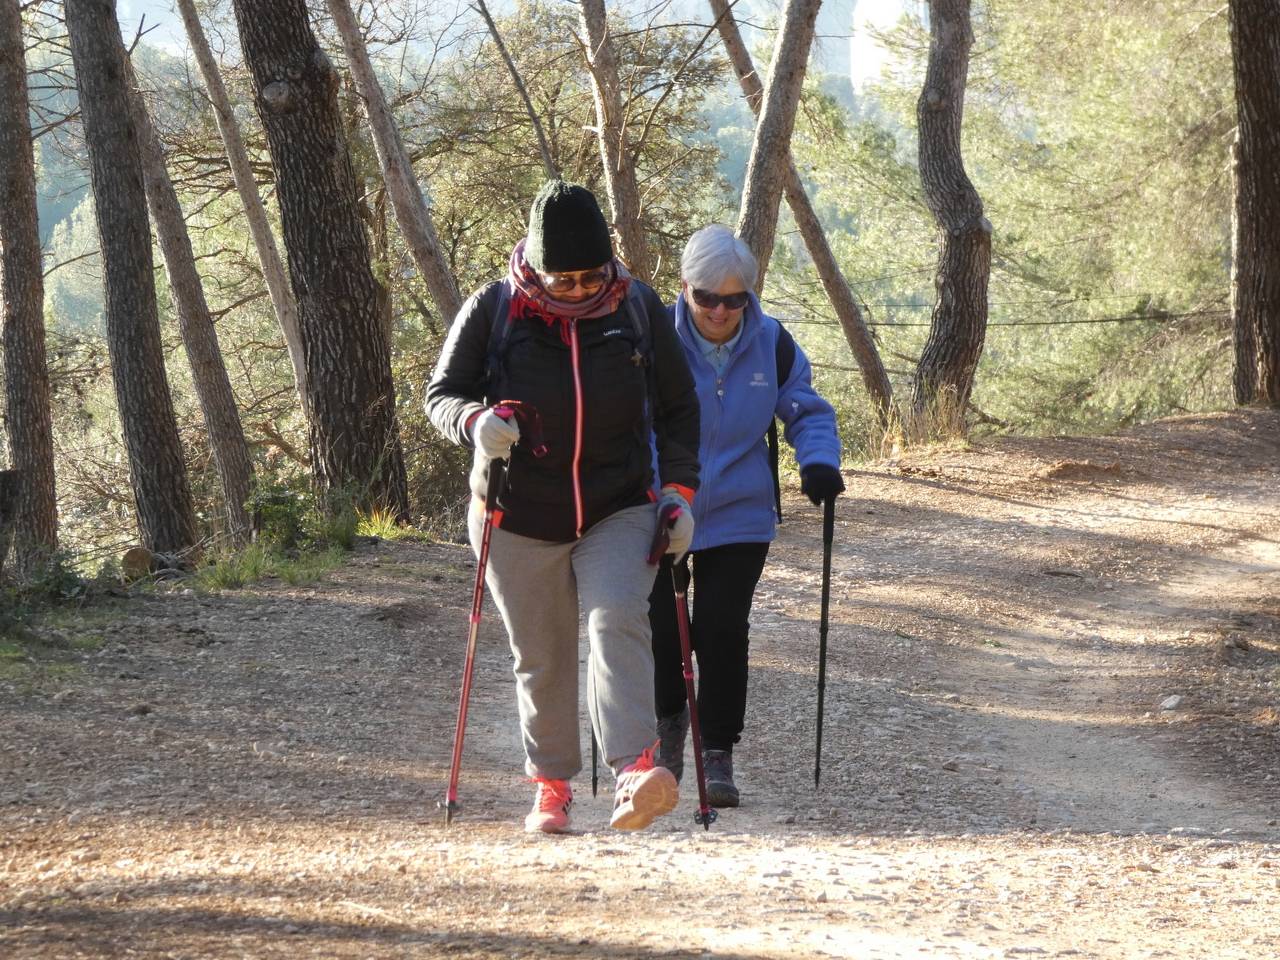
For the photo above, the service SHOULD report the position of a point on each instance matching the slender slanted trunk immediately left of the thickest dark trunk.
(259, 226)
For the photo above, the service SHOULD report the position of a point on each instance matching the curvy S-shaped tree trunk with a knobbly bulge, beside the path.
(944, 377)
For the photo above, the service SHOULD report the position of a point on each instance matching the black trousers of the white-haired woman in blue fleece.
(724, 584)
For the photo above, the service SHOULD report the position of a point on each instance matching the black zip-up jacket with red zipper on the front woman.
(592, 397)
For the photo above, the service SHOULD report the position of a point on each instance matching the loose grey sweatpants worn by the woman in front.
(538, 588)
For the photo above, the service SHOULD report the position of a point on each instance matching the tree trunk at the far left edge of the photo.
(29, 420)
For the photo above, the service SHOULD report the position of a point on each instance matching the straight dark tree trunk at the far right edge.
(1255, 28)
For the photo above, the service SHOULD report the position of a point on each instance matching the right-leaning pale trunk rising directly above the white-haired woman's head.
(771, 149)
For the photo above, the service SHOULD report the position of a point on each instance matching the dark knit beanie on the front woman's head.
(566, 230)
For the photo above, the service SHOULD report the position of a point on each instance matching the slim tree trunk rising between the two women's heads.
(620, 175)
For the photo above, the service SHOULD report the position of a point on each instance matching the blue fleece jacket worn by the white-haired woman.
(735, 500)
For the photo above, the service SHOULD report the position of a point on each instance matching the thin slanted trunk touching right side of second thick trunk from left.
(199, 336)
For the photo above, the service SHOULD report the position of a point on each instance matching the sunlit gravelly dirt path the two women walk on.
(1005, 772)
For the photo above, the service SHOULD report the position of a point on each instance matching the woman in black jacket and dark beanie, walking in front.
(593, 350)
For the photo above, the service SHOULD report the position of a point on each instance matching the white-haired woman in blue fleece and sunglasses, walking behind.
(732, 348)
